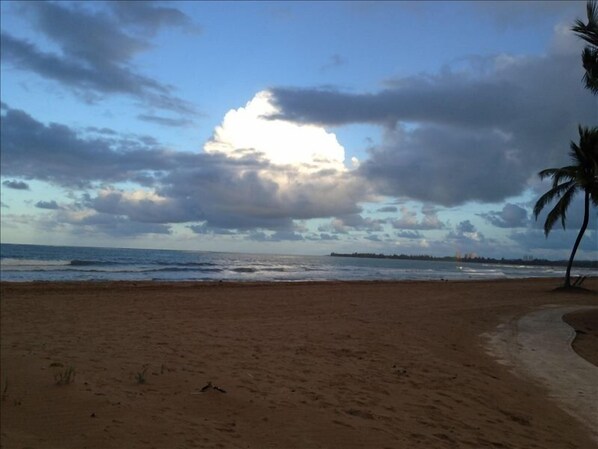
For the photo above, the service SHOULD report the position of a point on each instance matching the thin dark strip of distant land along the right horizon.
(475, 259)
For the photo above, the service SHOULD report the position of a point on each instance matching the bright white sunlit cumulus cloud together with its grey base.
(266, 173)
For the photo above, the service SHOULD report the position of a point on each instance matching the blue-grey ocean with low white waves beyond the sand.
(25, 263)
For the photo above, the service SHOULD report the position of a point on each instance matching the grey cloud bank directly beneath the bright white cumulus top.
(251, 193)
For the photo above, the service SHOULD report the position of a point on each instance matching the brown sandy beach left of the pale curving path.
(314, 365)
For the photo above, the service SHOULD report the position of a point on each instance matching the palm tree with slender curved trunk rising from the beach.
(581, 176)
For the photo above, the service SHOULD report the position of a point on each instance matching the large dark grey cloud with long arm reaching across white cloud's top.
(472, 133)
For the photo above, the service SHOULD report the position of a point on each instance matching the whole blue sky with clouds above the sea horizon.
(291, 127)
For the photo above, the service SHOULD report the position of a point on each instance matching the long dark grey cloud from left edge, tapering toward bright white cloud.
(58, 154)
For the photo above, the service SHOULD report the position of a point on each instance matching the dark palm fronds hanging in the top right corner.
(589, 57)
